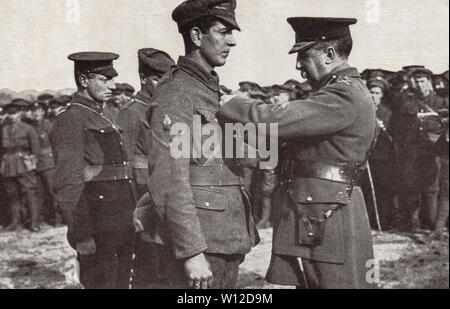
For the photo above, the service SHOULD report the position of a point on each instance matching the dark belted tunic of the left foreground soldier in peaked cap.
(93, 177)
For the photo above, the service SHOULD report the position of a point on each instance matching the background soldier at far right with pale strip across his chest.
(415, 136)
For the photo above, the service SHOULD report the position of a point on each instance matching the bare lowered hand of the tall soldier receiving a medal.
(198, 272)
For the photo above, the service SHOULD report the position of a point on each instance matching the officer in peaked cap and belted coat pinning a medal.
(322, 225)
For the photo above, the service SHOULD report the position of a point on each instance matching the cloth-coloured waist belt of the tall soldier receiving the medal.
(221, 175)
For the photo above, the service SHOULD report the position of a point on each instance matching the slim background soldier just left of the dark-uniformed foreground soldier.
(46, 164)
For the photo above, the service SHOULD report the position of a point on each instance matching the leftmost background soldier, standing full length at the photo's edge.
(18, 165)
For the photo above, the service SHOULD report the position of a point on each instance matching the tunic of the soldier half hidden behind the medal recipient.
(133, 120)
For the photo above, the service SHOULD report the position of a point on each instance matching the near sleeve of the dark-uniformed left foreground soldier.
(67, 140)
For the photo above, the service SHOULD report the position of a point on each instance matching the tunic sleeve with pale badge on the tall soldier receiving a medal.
(169, 178)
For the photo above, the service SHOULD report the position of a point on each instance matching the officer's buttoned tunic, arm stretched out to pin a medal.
(336, 124)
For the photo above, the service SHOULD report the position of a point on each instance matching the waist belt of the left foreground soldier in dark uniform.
(94, 173)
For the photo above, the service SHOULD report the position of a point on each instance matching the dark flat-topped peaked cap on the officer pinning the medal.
(311, 30)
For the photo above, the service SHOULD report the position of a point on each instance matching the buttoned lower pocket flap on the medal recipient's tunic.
(210, 199)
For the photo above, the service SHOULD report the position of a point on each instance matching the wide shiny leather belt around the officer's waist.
(347, 173)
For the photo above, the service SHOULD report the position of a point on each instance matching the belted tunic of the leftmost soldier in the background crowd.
(21, 148)
